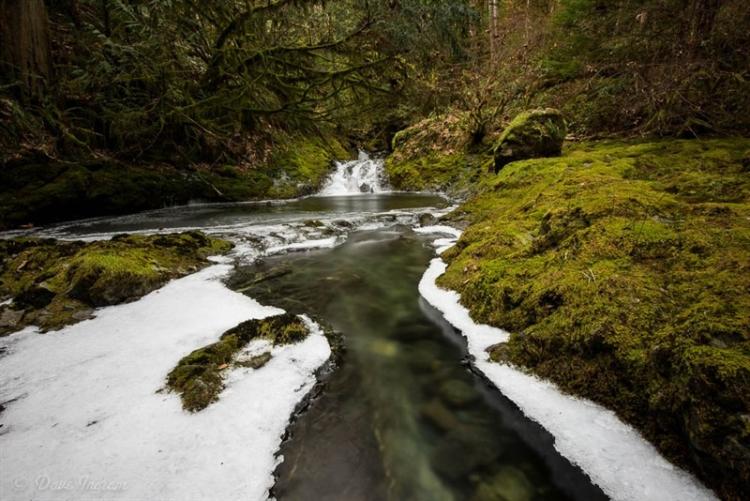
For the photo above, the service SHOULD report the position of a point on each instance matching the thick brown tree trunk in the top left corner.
(24, 46)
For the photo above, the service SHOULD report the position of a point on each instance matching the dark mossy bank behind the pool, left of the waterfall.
(44, 192)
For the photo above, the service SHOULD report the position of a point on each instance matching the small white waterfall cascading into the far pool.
(363, 175)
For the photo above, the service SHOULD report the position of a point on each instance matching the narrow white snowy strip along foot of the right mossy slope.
(616, 457)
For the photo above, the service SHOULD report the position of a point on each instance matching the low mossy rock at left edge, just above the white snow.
(56, 283)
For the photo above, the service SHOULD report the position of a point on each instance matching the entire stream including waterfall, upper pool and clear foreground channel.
(402, 416)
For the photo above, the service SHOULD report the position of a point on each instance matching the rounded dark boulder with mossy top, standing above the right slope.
(532, 134)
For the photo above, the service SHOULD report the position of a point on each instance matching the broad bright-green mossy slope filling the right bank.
(623, 273)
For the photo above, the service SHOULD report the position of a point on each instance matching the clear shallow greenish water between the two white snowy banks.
(403, 417)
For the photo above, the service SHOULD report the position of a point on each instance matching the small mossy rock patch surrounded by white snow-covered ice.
(198, 376)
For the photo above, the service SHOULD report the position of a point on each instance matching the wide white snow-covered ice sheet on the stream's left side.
(88, 422)
